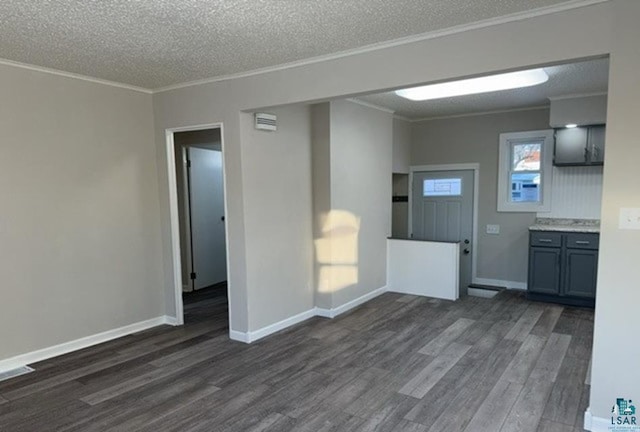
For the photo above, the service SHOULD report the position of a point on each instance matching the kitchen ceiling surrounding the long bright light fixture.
(569, 79)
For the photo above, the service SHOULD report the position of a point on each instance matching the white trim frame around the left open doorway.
(174, 212)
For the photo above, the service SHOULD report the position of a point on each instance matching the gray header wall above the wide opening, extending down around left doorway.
(423, 61)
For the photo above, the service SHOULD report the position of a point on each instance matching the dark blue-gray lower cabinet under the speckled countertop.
(563, 267)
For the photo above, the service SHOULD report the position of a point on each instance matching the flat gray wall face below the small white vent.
(277, 175)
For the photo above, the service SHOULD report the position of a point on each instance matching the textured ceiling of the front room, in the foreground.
(157, 43)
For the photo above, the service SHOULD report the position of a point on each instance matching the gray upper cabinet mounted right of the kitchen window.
(579, 146)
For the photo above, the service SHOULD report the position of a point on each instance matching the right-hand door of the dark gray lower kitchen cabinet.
(581, 268)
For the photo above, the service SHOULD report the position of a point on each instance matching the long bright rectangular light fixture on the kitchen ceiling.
(485, 84)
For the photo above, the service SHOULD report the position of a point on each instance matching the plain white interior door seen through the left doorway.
(206, 198)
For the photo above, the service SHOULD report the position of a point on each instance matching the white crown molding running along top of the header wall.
(518, 16)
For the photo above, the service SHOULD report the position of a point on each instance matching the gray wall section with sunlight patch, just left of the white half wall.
(361, 159)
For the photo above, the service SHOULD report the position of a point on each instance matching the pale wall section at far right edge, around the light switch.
(618, 270)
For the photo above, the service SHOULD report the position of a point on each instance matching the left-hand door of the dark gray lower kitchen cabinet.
(544, 270)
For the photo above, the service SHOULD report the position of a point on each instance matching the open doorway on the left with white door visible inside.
(198, 217)
